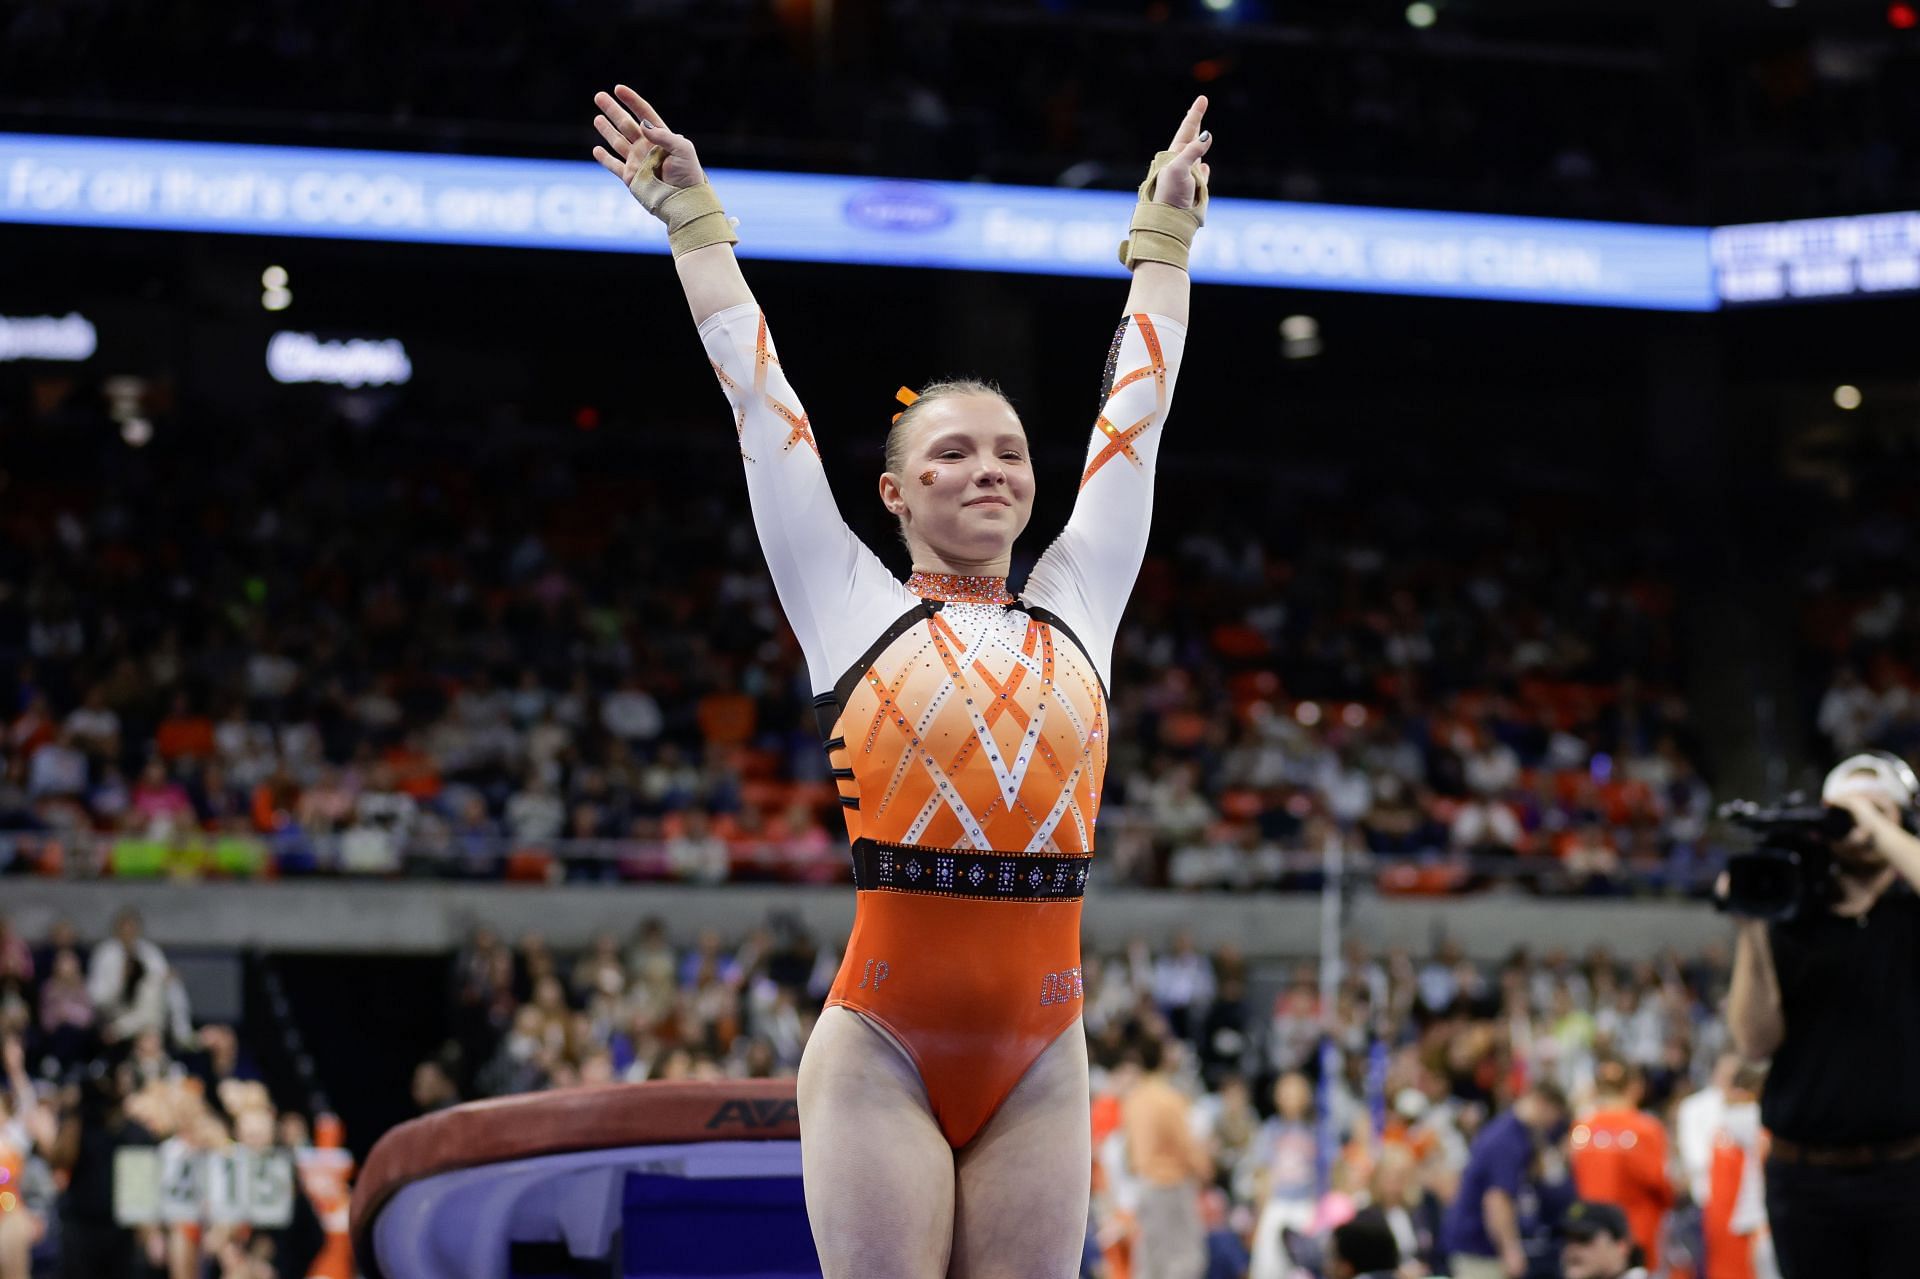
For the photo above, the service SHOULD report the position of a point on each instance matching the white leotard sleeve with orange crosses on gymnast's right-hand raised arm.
(1088, 573)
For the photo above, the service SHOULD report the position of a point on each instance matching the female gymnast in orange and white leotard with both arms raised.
(944, 1094)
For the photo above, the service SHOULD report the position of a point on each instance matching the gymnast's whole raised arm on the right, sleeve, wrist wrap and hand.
(1088, 573)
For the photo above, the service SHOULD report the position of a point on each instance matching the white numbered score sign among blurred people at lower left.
(178, 1184)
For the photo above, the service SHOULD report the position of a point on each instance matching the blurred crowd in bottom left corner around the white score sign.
(101, 1055)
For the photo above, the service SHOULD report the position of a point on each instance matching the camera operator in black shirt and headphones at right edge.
(1835, 998)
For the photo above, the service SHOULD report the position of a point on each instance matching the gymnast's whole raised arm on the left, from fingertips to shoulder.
(834, 591)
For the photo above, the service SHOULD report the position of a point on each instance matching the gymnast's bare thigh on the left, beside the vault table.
(878, 1172)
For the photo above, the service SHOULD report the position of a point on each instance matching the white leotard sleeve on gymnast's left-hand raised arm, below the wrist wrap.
(836, 592)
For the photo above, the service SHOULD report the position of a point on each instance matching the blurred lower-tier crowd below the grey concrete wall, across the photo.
(1308, 1098)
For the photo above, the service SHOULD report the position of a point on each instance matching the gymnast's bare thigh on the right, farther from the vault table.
(1020, 1205)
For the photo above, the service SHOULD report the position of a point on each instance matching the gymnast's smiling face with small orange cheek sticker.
(967, 485)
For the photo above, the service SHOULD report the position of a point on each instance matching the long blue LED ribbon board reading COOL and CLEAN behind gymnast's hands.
(287, 191)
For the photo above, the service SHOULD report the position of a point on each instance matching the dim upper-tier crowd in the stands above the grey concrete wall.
(274, 688)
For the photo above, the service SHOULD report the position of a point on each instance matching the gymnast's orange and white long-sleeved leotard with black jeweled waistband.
(967, 729)
